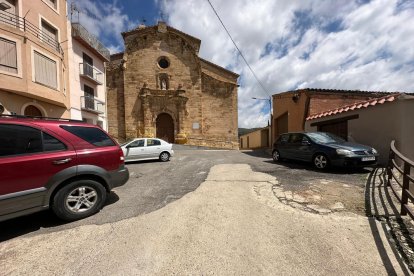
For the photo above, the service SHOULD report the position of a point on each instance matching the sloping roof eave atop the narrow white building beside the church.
(90, 41)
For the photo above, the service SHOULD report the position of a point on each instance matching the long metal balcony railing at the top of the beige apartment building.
(23, 24)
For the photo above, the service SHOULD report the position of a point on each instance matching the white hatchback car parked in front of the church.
(146, 149)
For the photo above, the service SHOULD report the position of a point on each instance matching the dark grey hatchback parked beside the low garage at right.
(323, 150)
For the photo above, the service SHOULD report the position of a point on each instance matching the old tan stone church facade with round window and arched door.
(160, 87)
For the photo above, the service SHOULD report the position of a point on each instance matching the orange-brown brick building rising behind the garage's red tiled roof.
(291, 108)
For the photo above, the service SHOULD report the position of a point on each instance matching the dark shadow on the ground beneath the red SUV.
(19, 226)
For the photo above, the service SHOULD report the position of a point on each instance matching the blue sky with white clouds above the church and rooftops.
(290, 44)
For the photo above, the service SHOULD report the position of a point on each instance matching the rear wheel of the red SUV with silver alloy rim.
(79, 199)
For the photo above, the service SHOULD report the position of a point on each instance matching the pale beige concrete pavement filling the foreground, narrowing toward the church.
(232, 224)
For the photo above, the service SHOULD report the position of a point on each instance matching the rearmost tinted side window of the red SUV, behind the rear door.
(92, 135)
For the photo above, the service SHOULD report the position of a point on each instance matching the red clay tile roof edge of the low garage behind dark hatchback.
(359, 105)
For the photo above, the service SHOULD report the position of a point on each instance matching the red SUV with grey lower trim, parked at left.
(67, 165)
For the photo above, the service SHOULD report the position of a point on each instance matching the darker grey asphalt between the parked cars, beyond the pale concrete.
(154, 184)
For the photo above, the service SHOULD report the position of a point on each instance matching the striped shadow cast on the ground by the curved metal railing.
(381, 206)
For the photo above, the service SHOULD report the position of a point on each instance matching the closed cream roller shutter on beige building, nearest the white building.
(45, 70)
